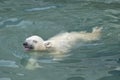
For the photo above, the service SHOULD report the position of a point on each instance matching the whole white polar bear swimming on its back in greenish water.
(61, 43)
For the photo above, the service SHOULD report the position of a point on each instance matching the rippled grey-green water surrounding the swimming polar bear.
(99, 60)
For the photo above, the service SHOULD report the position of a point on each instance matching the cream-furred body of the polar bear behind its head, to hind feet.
(64, 41)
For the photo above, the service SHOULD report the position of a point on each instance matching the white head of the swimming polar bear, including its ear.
(36, 43)
